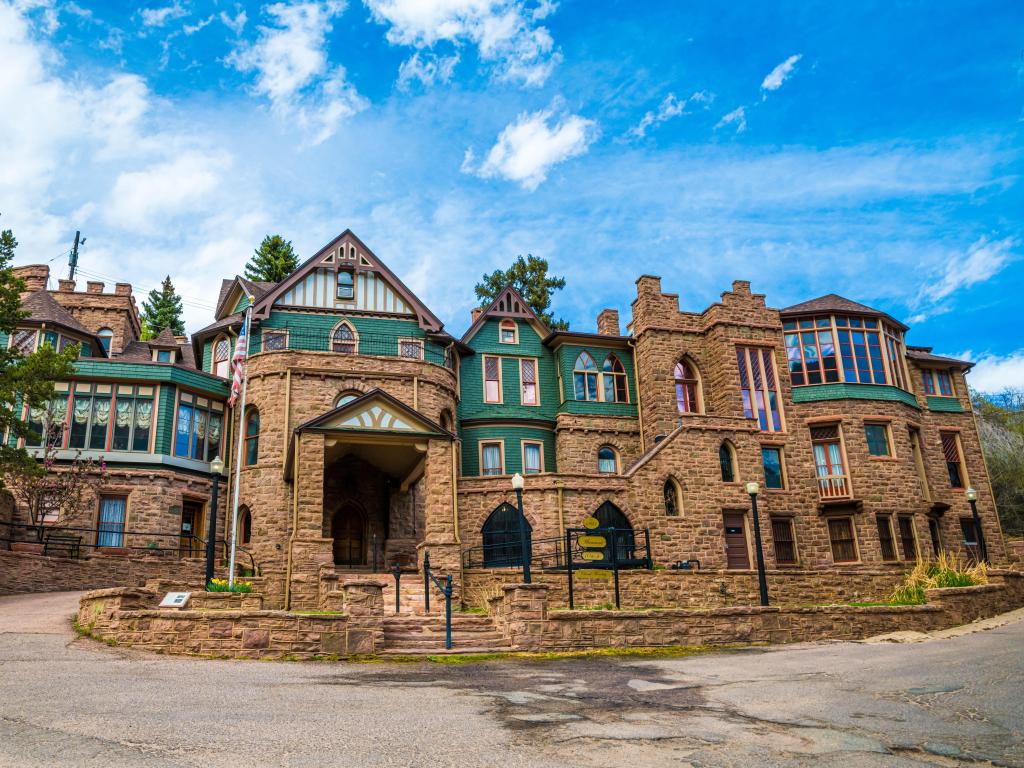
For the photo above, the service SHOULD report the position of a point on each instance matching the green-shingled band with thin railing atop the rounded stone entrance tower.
(385, 346)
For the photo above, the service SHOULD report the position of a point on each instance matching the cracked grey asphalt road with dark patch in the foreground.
(954, 701)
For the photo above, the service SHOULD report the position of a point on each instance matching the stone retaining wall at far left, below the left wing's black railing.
(23, 572)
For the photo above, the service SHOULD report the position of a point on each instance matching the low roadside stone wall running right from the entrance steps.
(524, 616)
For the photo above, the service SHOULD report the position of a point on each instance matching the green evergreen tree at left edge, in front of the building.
(25, 379)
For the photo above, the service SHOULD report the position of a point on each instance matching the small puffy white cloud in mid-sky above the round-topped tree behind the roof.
(528, 149)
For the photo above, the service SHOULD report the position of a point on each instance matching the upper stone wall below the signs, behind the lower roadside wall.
(700, 589)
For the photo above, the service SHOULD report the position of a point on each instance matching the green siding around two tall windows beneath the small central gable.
(486, 342)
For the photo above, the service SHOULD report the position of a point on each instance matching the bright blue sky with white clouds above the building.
(872, 150)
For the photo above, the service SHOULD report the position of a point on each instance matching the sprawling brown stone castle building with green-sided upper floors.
(372, 436)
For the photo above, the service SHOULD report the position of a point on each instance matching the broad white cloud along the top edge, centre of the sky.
(506, 33)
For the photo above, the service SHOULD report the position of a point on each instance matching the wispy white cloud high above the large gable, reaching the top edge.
(293, 72)
